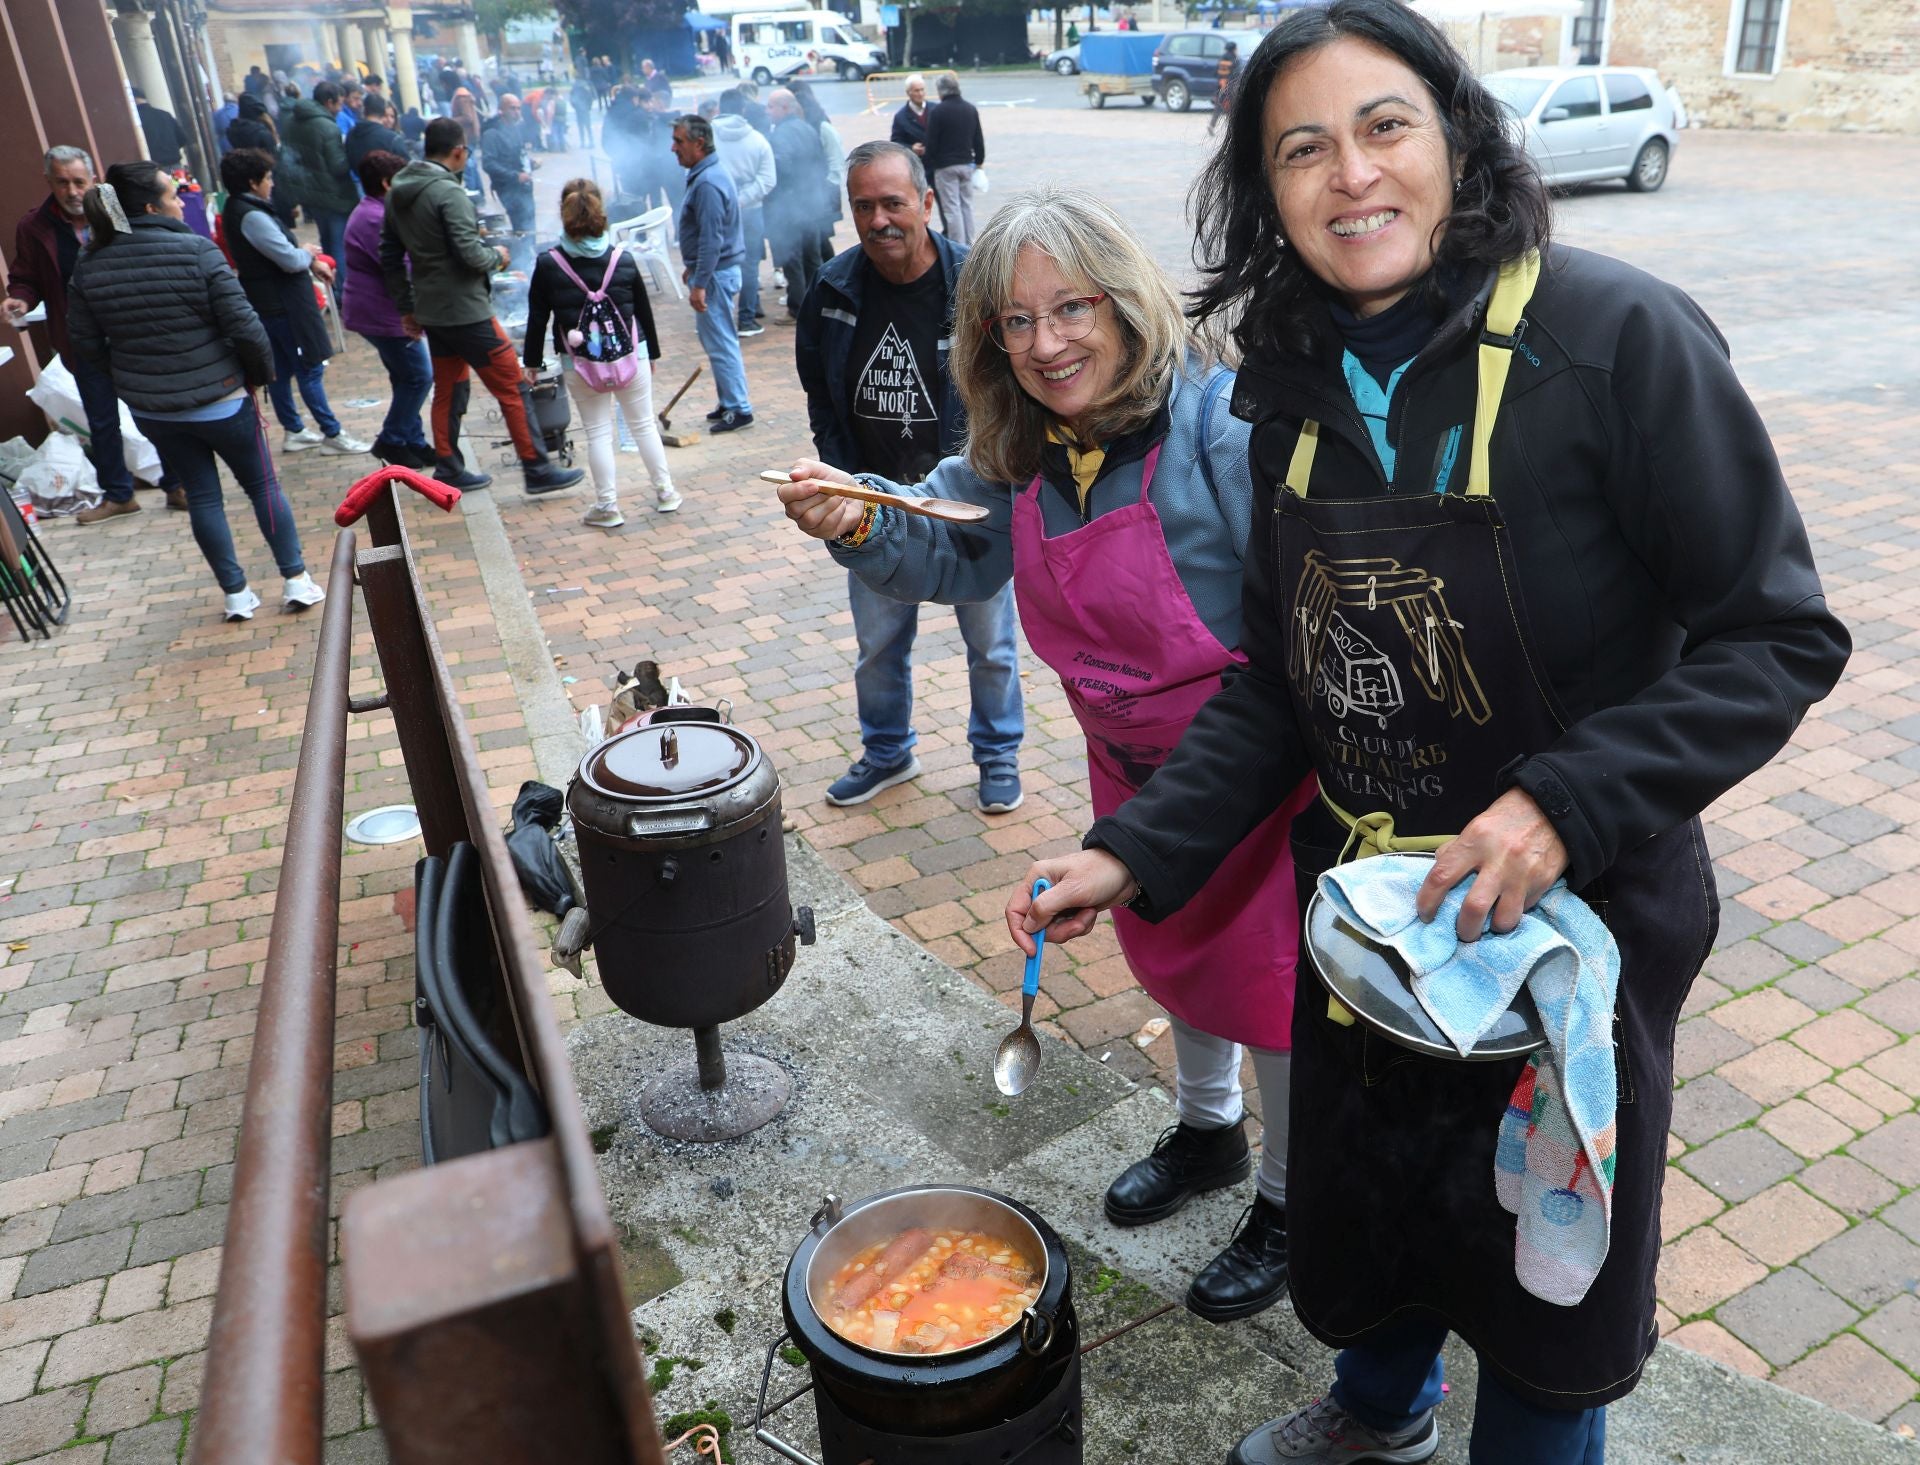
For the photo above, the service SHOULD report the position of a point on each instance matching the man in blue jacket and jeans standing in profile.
(713, 249)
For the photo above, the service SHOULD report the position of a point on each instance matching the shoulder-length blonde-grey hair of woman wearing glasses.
(1093, 249)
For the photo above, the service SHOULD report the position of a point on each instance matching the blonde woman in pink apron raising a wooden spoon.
(1118, 504)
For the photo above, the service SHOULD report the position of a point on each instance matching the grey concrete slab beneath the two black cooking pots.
(892, 1055)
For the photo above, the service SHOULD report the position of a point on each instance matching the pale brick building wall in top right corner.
(1846, 64)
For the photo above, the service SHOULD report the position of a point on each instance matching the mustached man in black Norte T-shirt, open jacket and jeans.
(873, 356)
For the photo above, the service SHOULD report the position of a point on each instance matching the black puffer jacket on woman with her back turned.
(164, 312)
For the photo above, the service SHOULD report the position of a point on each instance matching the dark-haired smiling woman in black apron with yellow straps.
(1525, 588)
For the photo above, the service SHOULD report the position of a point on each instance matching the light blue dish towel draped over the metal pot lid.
(1554, 1159)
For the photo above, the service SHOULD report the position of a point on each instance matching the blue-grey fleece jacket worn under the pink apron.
(1203, 492)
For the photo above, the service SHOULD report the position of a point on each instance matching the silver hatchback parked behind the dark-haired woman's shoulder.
(1593, 122)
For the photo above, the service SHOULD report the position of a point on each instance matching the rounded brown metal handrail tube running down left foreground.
(266, 1358)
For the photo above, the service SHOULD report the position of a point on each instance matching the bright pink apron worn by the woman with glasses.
(1107, 610)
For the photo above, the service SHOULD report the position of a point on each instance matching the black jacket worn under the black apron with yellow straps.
(1664, 571)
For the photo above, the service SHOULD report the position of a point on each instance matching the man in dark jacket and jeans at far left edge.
(47, 247)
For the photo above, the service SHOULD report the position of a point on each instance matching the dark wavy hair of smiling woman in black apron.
(1255, 291)
